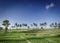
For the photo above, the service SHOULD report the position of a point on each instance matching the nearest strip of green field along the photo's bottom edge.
(46, 40)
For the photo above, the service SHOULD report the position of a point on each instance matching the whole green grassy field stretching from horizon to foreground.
(30, 36)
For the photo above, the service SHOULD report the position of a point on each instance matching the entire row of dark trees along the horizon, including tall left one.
(6, 23)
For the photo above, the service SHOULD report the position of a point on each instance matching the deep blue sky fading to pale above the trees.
(29, 11)
